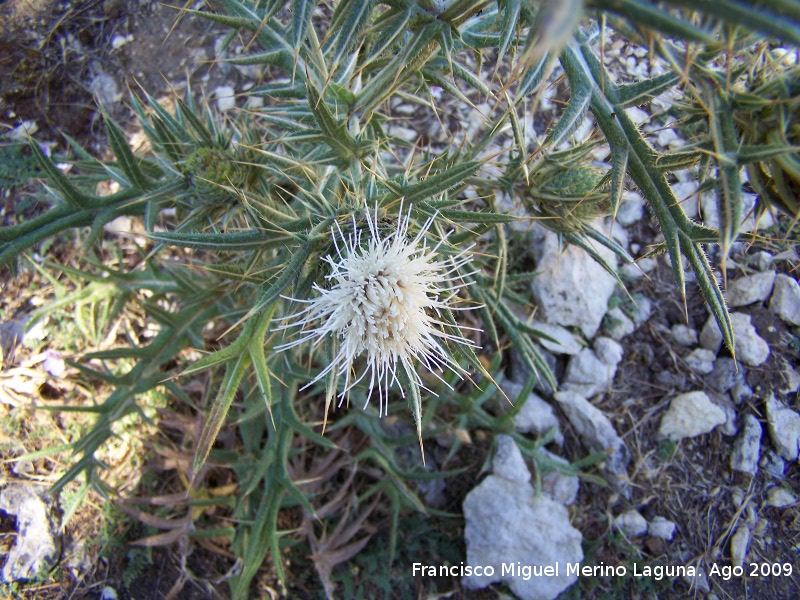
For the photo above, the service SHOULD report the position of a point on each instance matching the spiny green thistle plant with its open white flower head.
(332, 257)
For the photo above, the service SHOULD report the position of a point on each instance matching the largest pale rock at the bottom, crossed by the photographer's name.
(507, 523)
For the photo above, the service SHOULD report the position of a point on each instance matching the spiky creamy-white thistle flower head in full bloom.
(383, 301)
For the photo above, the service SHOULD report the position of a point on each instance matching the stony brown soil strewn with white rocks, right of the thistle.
(701, 448)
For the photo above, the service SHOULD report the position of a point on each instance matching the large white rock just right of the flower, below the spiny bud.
(573, 289)
